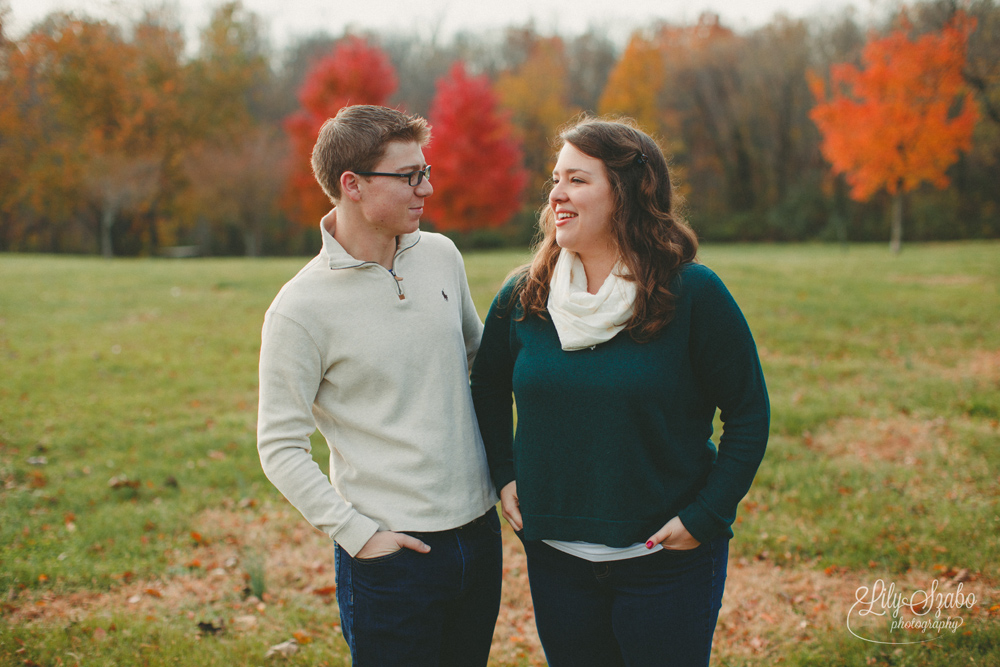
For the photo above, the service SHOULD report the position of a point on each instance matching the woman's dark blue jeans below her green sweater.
(659, 609)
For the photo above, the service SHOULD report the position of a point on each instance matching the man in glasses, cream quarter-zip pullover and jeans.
(371, 343)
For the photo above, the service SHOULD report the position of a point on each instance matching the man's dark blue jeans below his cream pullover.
(437, 609)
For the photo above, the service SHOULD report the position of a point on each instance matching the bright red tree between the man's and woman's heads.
(479, 176)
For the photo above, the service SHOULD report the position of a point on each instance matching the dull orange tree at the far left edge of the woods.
(79, 98)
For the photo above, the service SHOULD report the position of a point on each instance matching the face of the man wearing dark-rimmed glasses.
(390, 205)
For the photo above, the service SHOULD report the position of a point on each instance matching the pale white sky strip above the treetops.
(287, 20)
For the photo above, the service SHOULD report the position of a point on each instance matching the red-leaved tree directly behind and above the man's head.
(354, 73)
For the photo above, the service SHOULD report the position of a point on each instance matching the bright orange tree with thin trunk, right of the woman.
(892, 125)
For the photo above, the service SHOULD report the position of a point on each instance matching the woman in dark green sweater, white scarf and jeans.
(618, 349)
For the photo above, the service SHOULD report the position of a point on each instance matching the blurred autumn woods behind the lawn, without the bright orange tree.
(114, 139)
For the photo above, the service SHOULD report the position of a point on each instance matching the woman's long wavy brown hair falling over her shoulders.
(648, 232)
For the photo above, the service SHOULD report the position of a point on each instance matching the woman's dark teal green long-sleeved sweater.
(614, 441)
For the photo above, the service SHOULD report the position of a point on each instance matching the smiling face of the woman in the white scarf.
(583, 203)
